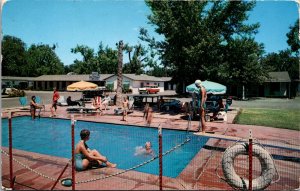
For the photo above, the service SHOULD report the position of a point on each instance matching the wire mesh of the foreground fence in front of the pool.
(42, 153)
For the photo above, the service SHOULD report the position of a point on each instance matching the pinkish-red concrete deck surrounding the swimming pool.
(200, 174)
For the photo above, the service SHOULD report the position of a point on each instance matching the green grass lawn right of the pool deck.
(279, 118)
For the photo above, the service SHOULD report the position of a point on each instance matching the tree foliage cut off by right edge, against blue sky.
(293, 37)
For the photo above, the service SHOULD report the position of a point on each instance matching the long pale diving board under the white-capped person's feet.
(232, 138)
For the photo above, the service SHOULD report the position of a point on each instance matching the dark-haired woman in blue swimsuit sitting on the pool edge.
(84, 156)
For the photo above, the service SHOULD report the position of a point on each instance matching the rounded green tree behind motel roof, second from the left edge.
(42, 59)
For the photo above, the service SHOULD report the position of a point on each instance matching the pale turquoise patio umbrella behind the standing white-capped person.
(211, 88)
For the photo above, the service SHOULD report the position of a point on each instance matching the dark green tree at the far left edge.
(13, 51)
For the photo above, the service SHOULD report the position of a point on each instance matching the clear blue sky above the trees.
(68, 23)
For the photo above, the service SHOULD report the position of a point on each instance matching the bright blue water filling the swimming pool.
(117, 142)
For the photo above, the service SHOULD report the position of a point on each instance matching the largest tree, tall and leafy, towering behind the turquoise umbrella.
(196, 35)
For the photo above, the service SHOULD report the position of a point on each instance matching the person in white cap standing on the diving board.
(201, 98)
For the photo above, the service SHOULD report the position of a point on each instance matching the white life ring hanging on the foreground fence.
(267, 167)
